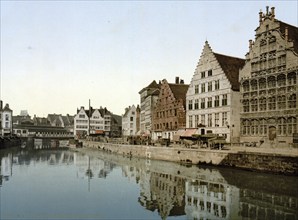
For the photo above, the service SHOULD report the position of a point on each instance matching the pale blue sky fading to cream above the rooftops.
(58, 55)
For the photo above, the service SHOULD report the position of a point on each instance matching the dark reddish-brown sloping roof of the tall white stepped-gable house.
(231, 66)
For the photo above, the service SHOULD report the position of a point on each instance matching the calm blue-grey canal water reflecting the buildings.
(90, 184)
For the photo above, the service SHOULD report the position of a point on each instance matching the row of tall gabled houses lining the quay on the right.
(243, 100)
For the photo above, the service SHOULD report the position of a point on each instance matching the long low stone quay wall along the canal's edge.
(256, 161)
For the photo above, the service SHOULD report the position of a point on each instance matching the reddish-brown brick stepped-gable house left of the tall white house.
(170, 112)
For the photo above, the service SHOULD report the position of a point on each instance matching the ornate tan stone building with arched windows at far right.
(269, 84)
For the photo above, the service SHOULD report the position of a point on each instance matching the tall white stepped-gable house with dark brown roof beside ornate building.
(213, 98)
